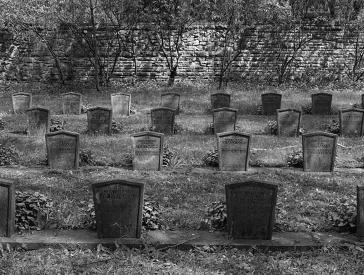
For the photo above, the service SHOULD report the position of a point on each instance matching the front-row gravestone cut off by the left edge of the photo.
(7, 208)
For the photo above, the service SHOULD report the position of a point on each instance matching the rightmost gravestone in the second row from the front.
(319, 151)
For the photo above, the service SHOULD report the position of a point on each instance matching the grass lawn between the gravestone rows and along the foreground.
(306, 202)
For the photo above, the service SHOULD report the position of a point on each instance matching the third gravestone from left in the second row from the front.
(233, 148)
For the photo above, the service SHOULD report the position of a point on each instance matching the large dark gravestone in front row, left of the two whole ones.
(118, 208)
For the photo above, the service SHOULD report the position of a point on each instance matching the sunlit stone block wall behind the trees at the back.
(328, 54)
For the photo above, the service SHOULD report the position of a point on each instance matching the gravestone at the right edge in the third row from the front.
(351, 122)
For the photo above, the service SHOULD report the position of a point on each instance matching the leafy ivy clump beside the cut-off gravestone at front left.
(32, 210)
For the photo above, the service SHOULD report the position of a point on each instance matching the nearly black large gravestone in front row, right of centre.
(250, 209)
